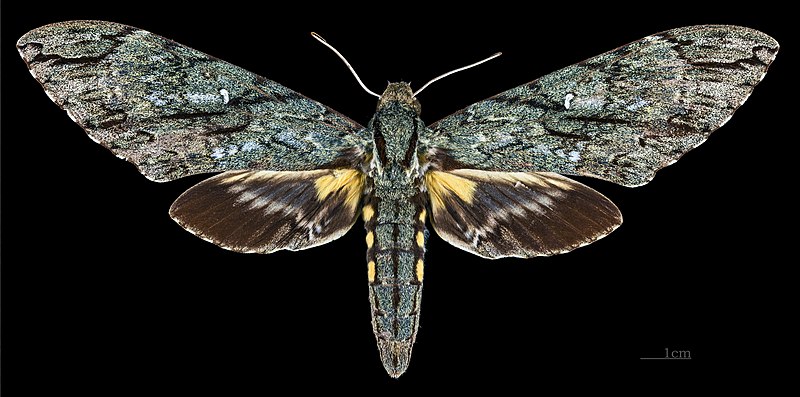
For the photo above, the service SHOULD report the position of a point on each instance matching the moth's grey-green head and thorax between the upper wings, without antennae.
(395, 130)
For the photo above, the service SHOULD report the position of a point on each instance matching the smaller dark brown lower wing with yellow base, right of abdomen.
(500, 214)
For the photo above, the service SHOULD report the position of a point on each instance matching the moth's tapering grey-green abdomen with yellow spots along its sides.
(395, 250)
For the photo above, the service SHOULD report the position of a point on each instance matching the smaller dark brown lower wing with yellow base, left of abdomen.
(266, 211)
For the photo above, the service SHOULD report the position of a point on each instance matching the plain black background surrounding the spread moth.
(102, 292)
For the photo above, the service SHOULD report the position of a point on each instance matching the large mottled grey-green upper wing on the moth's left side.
(173, 111)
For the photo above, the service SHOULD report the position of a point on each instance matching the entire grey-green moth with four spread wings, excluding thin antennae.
(294, 174)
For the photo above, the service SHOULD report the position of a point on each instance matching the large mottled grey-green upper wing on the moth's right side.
(620, 116)
